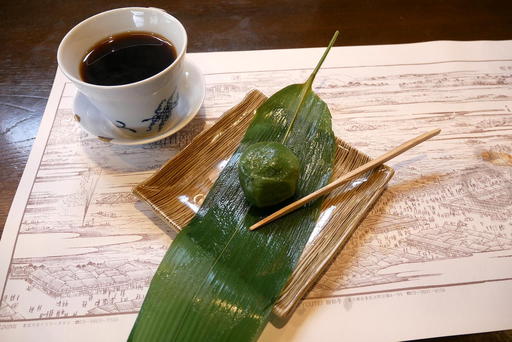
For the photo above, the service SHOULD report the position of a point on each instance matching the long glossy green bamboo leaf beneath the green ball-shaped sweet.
(218, 281)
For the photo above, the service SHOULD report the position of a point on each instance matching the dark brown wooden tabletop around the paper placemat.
(31, 30)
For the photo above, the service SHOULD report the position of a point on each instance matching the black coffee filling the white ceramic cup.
(126, 58)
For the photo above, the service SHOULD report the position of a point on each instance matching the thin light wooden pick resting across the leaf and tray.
(333, 185)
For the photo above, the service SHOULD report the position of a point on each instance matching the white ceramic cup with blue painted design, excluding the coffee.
(140, 108)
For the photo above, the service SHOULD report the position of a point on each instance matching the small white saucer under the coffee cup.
(191, 90)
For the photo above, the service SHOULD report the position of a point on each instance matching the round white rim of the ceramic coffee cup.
(127, 85)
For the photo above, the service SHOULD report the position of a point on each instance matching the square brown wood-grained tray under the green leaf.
(177, 190)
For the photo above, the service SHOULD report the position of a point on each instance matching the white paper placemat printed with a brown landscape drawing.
(433, 257)
